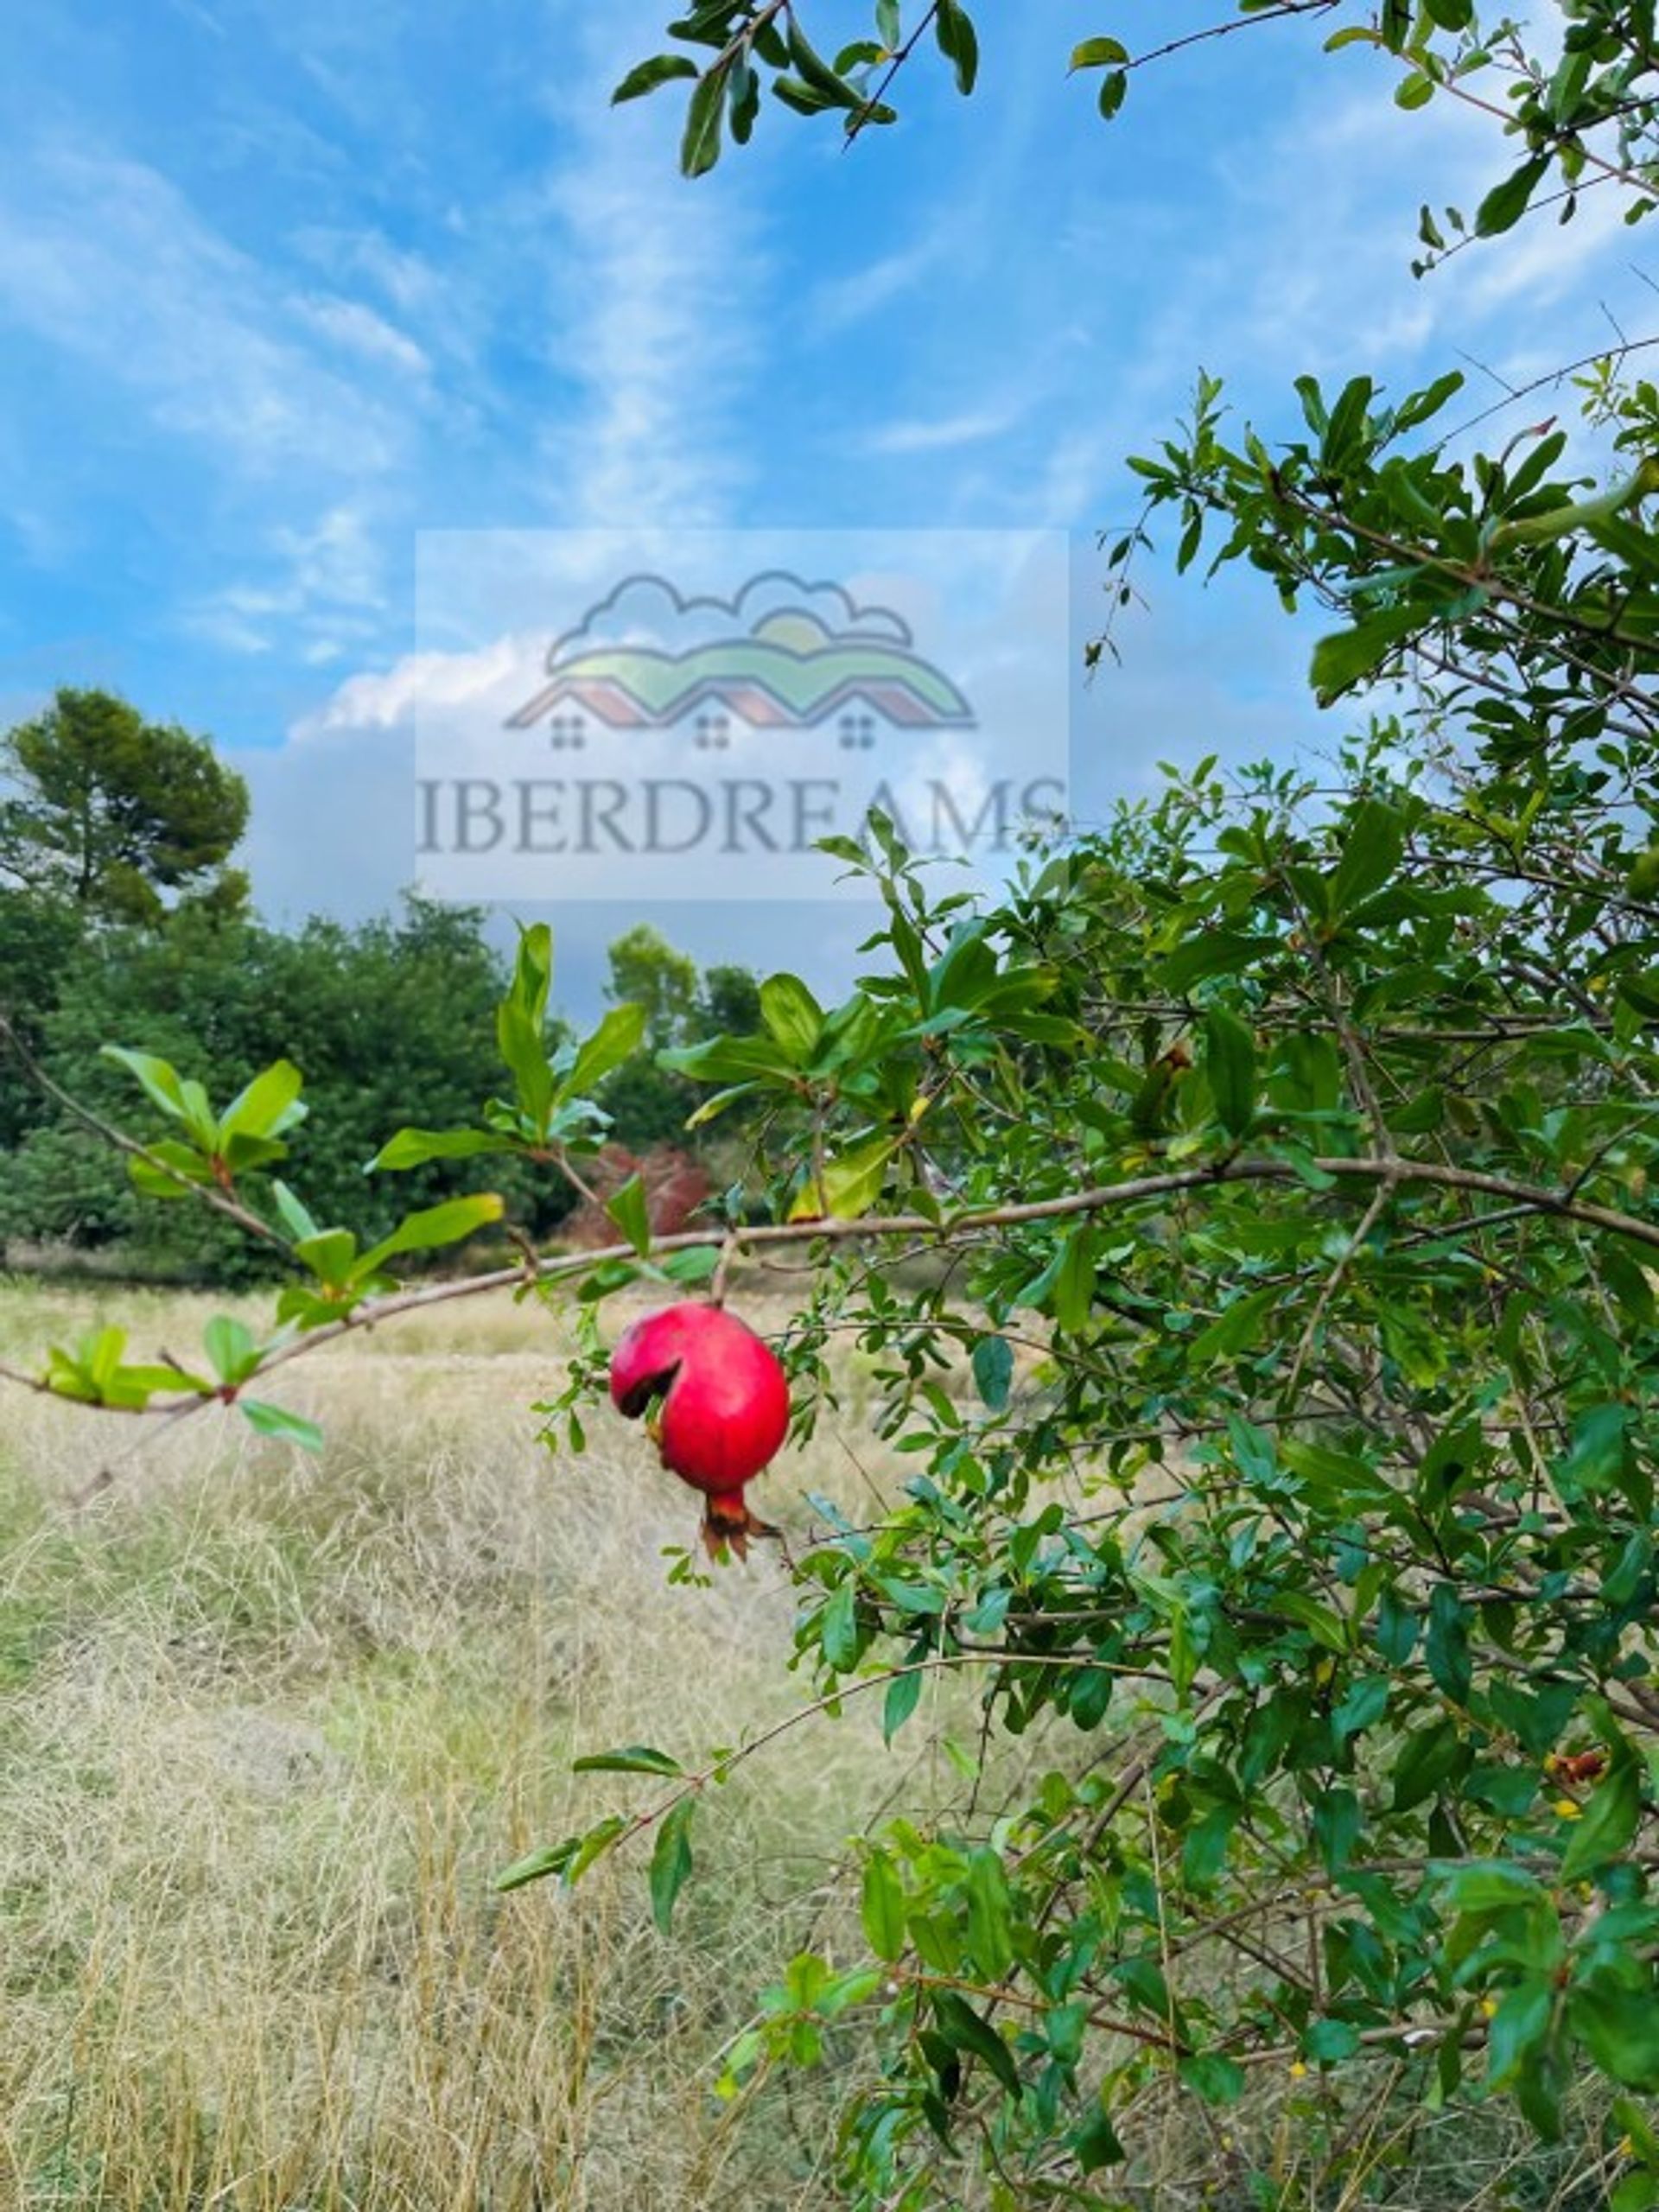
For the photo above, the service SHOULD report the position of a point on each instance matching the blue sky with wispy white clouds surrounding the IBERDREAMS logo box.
(289, 282)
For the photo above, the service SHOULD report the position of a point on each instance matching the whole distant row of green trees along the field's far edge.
(123, 919)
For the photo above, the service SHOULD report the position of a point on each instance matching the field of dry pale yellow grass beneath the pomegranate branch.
(271, 1724)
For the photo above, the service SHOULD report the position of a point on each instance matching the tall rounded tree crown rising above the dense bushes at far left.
(118, 815)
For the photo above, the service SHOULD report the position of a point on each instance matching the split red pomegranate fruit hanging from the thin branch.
(722, 1408)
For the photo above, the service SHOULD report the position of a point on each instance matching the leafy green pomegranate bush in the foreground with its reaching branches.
(1282, 1415)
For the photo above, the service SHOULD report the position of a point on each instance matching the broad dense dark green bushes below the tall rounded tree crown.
(379, 1019)
